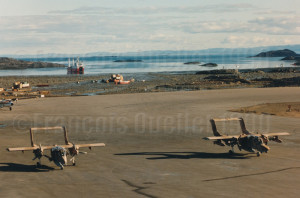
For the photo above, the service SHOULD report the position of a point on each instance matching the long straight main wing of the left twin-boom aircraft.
(50, 147)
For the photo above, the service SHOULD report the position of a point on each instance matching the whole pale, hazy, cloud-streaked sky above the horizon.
(84, 26)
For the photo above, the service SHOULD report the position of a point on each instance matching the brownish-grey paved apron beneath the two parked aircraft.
(154, 146)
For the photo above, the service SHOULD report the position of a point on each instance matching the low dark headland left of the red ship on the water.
(10, 63)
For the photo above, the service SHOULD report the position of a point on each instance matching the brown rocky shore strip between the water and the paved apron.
(86, 85)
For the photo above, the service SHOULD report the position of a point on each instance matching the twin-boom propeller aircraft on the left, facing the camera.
(58, 152)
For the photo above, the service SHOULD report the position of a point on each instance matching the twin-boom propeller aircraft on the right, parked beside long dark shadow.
(246, 140)
